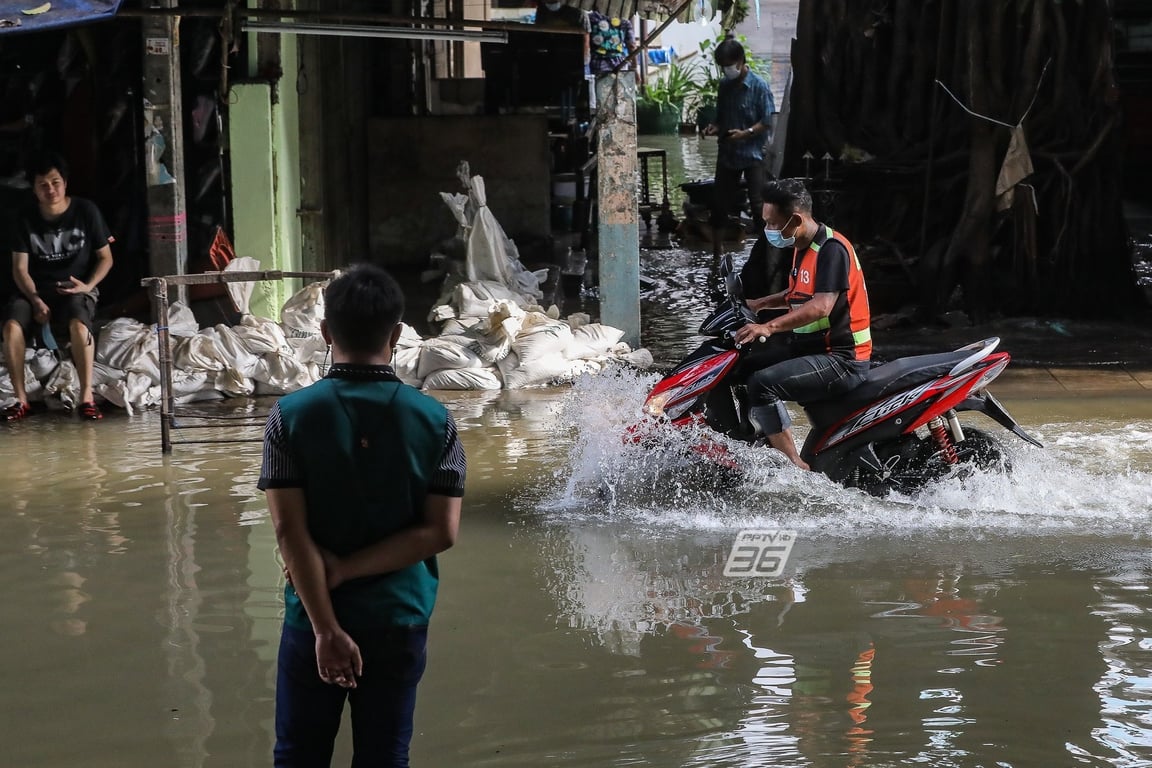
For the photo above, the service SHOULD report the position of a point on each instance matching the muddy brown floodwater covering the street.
(585, 617)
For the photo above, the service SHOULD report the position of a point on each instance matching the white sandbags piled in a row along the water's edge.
(489, 344)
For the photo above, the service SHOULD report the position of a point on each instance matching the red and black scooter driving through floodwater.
(898, 431)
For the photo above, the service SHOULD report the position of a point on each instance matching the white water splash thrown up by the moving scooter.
(1092, 480)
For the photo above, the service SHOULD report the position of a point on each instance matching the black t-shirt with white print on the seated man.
(63, 248)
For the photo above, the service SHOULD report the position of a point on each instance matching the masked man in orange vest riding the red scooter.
(821, 346)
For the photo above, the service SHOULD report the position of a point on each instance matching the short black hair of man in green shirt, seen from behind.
(362, 307)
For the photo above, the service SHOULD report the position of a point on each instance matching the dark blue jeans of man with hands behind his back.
(383, 703)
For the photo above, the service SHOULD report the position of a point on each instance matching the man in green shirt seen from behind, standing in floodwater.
(365, 478)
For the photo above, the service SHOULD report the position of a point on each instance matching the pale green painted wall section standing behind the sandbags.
(264, 141)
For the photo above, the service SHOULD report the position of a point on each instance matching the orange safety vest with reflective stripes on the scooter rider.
(848, 326)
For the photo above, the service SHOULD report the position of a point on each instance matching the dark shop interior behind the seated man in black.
(78, 92)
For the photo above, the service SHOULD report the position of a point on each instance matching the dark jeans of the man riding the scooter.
(804, 379)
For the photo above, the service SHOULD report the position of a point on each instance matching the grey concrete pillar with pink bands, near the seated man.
(164, 123)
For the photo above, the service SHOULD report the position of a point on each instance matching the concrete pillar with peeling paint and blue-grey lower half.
(618, 208)
